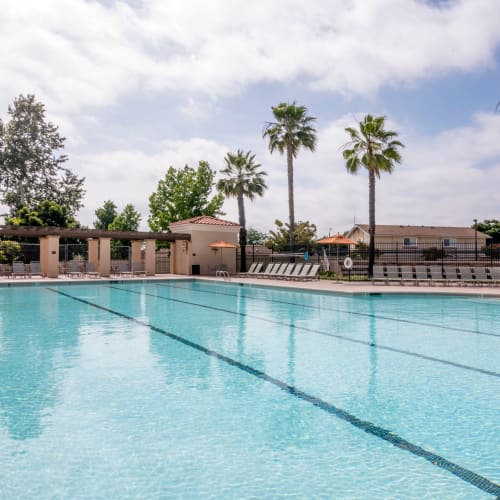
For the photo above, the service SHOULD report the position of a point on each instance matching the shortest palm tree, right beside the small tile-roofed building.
(243, 179)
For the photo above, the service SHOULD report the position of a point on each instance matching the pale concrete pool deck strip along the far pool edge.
(314, 285)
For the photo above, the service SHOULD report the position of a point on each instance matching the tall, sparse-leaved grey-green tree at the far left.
(32, 170)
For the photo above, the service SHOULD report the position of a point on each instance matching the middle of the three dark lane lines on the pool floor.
(318, 332)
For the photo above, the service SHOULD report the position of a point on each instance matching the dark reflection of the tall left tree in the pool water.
(33, 343)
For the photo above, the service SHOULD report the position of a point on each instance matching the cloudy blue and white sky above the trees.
(140, 85)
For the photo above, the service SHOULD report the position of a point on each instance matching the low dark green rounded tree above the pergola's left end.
(47, 213)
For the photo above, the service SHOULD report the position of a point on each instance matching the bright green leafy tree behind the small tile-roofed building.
(183, 194)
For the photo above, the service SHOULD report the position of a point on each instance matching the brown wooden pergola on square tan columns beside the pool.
(99, 245)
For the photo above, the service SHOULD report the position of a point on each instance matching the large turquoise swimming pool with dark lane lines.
(194, 389)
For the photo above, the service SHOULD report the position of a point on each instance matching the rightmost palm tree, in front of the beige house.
(375, 149)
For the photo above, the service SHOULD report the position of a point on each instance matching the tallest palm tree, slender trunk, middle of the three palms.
(291, 129)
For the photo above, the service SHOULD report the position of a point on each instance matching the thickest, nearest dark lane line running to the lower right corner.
(466, 475)
